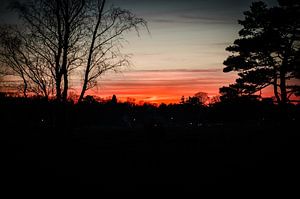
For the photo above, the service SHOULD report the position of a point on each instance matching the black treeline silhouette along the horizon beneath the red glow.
(41, 112)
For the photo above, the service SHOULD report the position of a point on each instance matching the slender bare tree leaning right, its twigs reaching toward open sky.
(105, 36)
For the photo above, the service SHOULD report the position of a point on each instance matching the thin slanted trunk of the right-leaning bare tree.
(88, 66)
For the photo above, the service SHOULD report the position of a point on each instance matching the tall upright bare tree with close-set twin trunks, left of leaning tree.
(53, 29)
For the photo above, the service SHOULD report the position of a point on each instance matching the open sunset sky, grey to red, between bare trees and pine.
(182, 55)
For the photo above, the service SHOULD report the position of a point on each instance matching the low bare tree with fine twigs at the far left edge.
(18, 60)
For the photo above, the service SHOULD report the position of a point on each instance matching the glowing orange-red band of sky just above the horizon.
(161, 86)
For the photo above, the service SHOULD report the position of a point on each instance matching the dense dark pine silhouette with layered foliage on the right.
(267, 52)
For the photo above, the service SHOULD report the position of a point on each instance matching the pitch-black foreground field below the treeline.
(156, 158)
